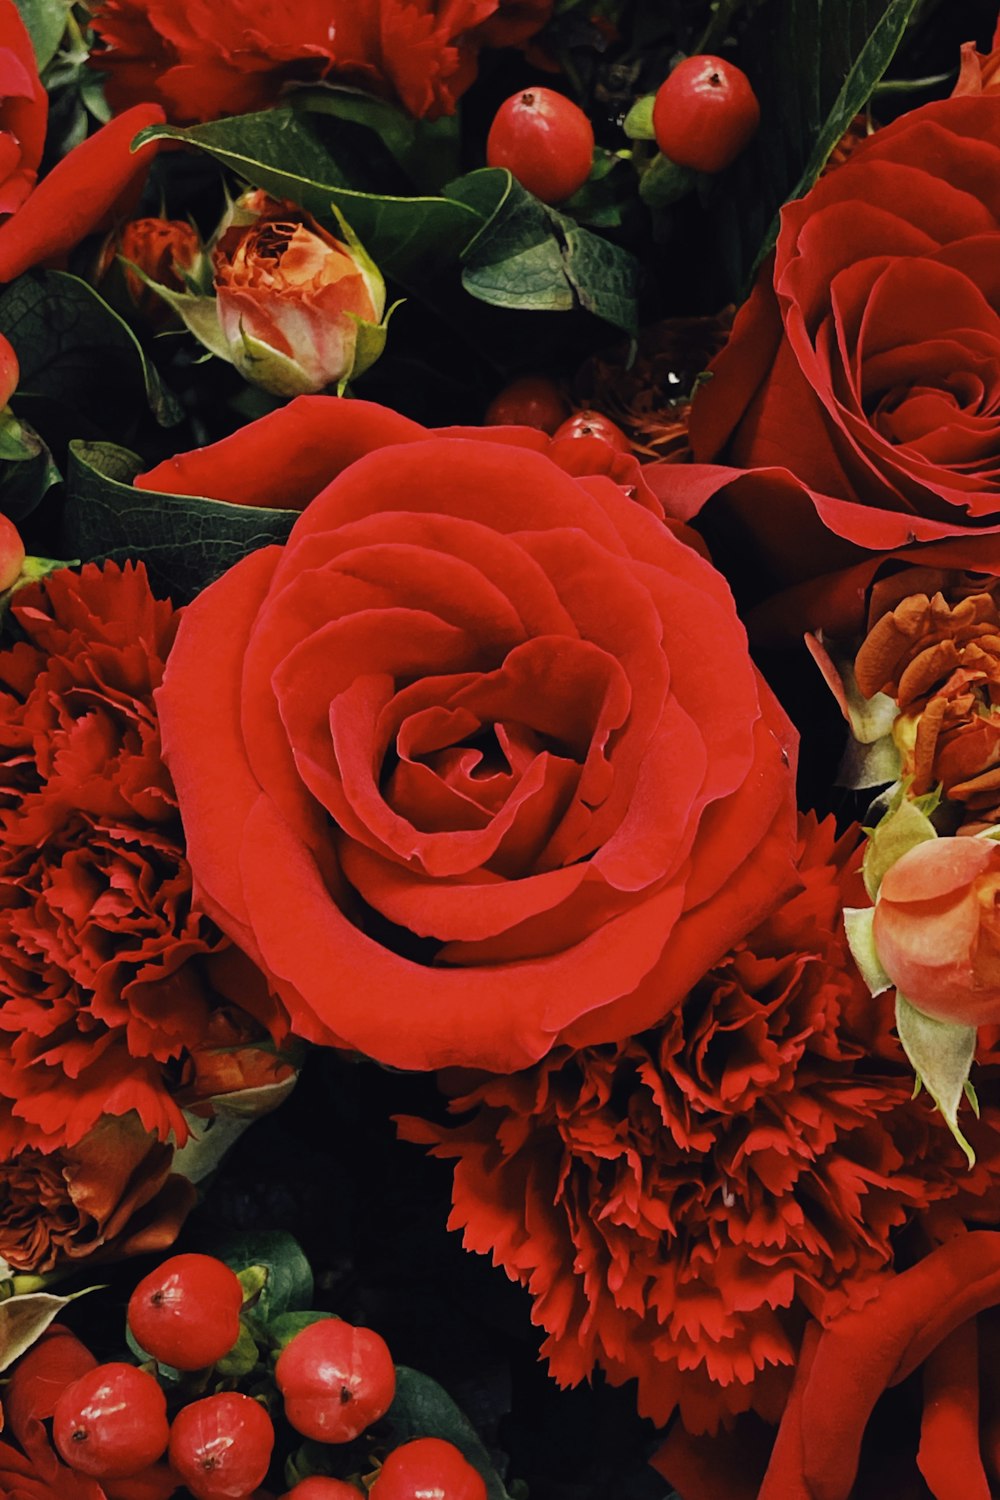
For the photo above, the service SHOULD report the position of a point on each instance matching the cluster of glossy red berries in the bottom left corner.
(335, 1381)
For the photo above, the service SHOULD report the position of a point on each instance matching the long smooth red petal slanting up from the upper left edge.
(97, 181)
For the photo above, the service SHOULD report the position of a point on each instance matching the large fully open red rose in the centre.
(478, 760)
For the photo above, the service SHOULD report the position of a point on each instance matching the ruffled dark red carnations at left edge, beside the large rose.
(109, 973)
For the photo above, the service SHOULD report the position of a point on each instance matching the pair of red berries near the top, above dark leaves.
(704, 116)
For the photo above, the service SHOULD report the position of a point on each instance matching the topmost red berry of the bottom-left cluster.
(187, 1313)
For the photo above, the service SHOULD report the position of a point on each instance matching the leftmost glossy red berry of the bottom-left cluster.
(112, 1423)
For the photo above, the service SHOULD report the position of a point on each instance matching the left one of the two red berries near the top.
(545, 142)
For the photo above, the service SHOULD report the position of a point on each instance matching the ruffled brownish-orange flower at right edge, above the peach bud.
(941, 661)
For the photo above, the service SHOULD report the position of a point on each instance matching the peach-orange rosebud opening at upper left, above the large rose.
(293, 301)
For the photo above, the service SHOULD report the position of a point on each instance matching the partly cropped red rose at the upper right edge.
(861, 385)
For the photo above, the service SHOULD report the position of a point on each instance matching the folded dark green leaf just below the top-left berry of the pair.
(530, 257)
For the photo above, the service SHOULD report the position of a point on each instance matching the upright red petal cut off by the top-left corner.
(23, 110)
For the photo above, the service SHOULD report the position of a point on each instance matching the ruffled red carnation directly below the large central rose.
(680, 1202)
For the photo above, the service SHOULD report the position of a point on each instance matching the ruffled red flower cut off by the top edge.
(202, 59)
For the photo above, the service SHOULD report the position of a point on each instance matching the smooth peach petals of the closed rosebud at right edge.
(938, 929)
